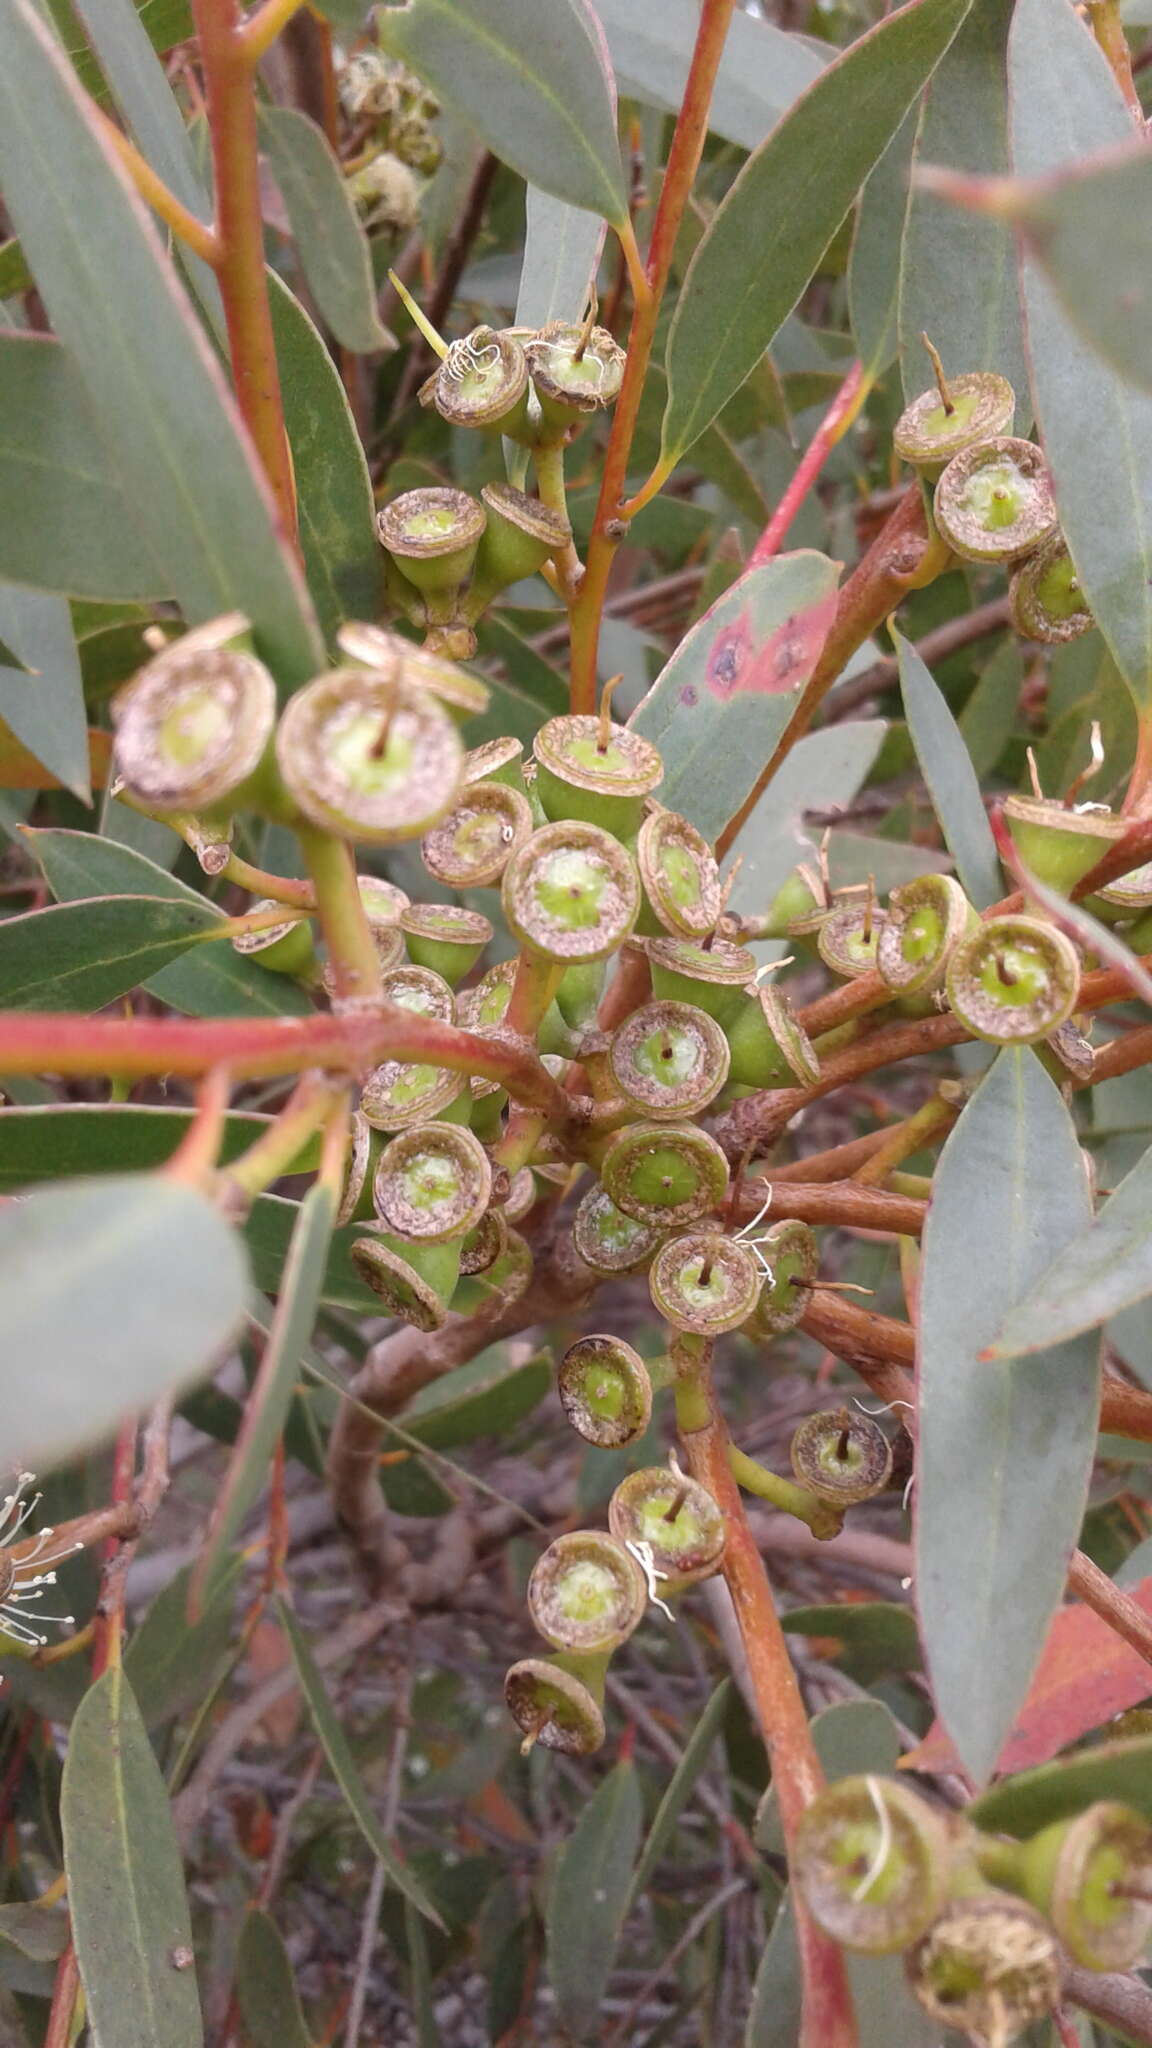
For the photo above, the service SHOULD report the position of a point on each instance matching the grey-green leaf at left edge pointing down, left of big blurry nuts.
(44, 703)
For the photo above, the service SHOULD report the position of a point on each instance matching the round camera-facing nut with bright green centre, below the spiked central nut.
(571, 894)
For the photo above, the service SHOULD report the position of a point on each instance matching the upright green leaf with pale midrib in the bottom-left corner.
(126, 1887)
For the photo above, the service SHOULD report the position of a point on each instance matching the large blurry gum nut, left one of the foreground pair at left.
(196, 726)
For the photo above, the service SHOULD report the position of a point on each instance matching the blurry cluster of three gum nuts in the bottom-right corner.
(987, 1922)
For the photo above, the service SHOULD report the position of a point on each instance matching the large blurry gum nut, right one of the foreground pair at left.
(368, 757)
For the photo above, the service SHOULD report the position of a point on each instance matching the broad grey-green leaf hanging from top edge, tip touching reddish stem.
(534, 87)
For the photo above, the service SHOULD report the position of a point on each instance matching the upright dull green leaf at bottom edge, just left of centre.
(589, 1900)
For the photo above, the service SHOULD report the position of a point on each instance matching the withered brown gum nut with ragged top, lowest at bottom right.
(989, 1967)
